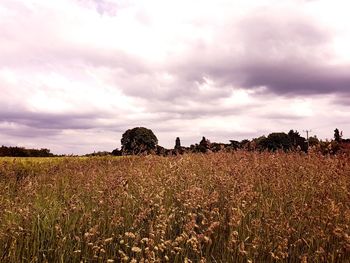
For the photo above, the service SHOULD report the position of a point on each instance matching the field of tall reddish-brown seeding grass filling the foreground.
(224, 207)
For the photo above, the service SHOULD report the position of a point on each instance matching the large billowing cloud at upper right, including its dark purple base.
(287, 55)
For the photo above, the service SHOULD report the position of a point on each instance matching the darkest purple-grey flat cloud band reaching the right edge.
(294, 79)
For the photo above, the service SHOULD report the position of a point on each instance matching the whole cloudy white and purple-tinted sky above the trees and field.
(76, 74)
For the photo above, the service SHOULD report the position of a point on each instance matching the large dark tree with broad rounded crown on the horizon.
(138, 140)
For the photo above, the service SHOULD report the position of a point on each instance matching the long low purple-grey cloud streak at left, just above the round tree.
(23, 122)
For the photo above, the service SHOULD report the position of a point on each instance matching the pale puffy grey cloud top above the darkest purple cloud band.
(275, 36)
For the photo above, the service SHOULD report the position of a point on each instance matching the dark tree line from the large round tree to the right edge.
(141, 141)
